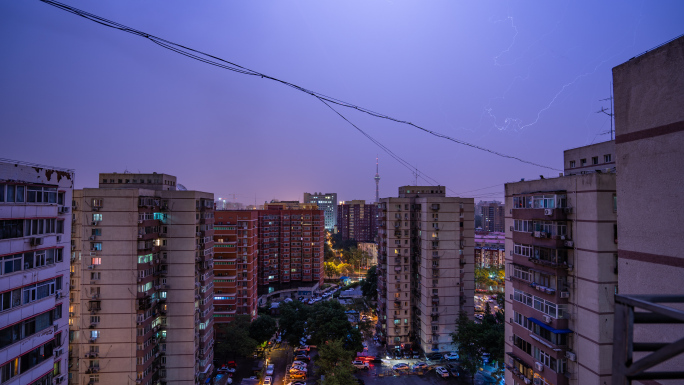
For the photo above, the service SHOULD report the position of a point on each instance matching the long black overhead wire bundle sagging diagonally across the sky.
(221, 63)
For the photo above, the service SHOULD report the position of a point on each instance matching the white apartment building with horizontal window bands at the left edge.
(35, 233)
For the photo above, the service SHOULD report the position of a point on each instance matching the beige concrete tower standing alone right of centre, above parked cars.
(425, 267)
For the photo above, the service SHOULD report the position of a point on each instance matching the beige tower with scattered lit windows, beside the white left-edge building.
(142, 282)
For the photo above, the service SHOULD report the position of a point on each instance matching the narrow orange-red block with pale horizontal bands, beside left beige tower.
(235, 264)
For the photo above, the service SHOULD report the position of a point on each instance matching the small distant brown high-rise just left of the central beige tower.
(357, 220)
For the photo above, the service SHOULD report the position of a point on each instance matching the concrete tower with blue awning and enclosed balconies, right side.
(561, 273)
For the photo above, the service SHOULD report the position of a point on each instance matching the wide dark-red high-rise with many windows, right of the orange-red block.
(290, 245)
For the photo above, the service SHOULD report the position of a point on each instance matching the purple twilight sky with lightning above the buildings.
(522, 77)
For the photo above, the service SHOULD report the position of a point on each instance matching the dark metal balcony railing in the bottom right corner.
(625, 369)
